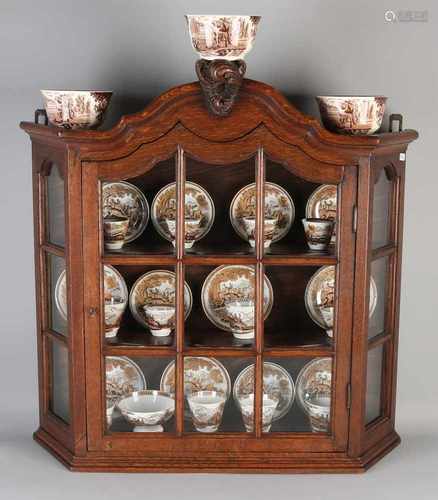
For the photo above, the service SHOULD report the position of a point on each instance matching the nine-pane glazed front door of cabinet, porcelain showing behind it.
(206, 322)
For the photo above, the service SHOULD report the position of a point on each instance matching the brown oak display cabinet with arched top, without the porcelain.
(264, 139)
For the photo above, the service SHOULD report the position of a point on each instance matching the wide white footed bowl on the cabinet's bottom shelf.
(147, 410)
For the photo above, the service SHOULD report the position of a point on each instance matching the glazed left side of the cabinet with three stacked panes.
(52, 273)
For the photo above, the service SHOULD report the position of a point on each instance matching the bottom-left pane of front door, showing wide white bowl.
(140, 394)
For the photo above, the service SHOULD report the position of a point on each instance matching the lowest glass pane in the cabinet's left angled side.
(59, 402)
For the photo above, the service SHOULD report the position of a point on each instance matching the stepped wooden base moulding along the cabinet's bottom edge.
(271, 463)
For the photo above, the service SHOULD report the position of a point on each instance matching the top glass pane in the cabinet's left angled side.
(55, 207)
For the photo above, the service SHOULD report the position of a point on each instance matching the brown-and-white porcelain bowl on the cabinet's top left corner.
(76, 109)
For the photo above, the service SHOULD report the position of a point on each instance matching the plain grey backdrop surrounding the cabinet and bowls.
(139, 48)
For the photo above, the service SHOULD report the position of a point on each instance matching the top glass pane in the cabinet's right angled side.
(382, 200)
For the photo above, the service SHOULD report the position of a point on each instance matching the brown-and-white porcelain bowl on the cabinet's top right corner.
(353, 115)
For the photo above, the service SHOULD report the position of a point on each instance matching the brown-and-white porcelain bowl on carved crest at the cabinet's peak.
(222, 37)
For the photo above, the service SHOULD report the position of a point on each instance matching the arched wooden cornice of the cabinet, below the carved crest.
(260, 108)
